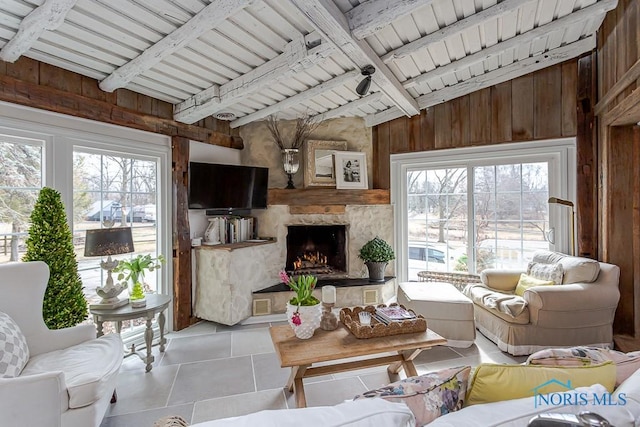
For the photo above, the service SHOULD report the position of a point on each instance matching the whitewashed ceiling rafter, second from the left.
(205, 20)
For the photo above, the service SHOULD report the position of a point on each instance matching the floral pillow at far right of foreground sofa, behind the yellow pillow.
(626, 364)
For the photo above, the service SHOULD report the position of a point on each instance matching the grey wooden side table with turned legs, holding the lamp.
(156, 304)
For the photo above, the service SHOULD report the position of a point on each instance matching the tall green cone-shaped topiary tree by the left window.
(50, 240)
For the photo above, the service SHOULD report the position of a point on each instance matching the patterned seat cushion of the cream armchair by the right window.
(510, 307)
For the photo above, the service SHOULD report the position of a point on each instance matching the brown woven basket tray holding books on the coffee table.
(349, 318)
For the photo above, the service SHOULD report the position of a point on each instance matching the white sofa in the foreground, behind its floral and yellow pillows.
(380, 413)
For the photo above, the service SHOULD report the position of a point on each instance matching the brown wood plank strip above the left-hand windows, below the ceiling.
(39, 85)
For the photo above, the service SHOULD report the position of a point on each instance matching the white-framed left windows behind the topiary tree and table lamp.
(122, 171)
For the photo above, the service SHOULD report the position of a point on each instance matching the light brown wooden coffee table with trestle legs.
(331, 346)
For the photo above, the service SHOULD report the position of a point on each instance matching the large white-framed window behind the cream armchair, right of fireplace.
(465, 210)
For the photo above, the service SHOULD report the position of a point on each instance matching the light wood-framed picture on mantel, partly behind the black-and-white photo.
(319, 170)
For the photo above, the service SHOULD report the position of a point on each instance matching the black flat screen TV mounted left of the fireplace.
(227, 187)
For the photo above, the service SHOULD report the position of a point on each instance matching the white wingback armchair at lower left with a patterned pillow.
(70, 375)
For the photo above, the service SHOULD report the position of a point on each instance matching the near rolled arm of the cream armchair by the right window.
(573, 305)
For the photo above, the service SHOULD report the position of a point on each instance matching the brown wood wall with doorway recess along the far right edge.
(618, 146)
